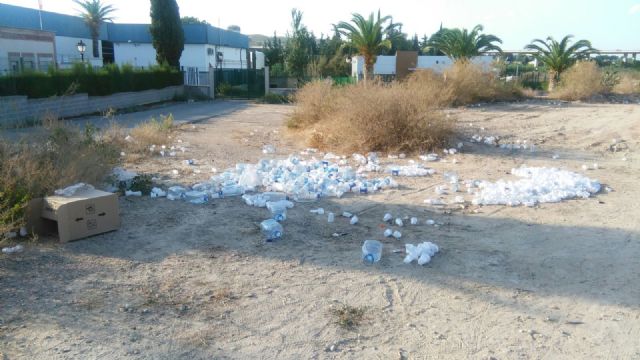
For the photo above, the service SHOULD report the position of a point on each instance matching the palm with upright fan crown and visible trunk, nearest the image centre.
(369, 36)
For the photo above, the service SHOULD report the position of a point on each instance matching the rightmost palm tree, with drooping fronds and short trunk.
(559, 56)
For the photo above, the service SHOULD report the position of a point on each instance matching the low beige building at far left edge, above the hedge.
(24, 50)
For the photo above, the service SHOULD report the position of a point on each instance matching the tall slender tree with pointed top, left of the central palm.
(299, 47)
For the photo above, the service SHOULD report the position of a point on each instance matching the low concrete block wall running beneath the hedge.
(17, 109)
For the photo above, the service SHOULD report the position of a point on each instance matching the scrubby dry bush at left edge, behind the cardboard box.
(58, 156)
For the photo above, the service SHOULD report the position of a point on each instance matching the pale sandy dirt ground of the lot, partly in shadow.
(183, 281)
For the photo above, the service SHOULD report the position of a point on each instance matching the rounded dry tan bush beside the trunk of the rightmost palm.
(582, 81)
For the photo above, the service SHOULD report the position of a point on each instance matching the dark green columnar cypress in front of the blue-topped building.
(166, 32)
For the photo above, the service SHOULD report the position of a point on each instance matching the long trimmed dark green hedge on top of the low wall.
(106, 81)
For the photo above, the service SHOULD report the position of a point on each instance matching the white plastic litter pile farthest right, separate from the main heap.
(537, 185)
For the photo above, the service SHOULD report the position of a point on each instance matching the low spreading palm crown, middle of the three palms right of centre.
(462, 45)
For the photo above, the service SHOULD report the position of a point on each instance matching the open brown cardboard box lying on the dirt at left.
(75, 217)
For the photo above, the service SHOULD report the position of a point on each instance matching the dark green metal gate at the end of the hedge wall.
(239, 83)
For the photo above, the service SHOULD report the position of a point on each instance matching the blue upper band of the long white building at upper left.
(73, 26)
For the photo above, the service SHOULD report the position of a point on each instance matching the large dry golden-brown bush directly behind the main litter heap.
(374, 117)
